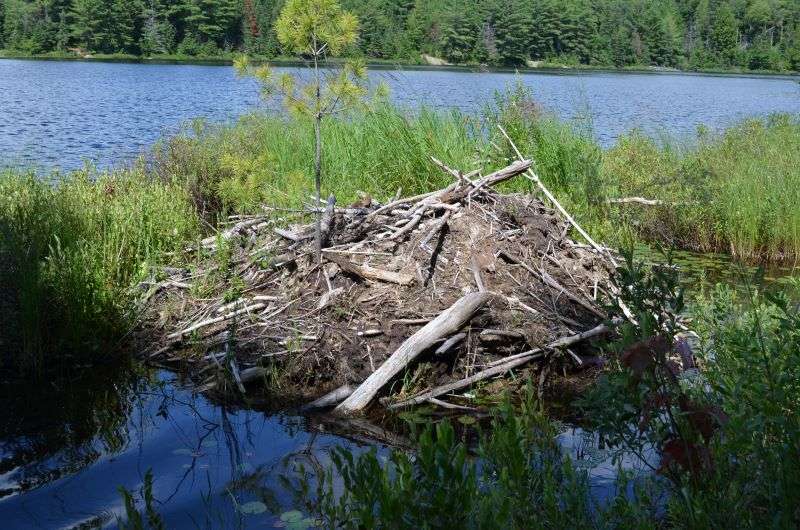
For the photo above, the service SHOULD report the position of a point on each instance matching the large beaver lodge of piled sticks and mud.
(410, 301)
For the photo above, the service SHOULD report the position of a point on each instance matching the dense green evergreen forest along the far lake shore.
(753, 34)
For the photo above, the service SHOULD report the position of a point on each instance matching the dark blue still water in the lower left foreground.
(63, 460)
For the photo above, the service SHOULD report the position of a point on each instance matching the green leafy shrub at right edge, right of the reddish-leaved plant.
(751, 356)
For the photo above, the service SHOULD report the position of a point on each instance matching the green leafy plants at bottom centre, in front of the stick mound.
(520, 479)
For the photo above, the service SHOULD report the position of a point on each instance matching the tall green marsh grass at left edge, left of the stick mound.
(71, 252)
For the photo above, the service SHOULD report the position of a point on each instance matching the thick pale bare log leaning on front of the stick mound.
(444, 325)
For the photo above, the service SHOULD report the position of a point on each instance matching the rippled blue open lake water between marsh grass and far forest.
(61, 113)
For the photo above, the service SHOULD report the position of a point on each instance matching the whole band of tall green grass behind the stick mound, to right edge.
(737, 192)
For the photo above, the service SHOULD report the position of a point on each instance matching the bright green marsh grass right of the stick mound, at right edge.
(737, 192)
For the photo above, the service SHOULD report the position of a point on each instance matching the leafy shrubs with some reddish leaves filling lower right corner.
(725, 436)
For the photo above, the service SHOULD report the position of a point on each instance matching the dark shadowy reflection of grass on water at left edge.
(54, 428)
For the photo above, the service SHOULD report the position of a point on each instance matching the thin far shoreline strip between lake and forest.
(376, 64)
